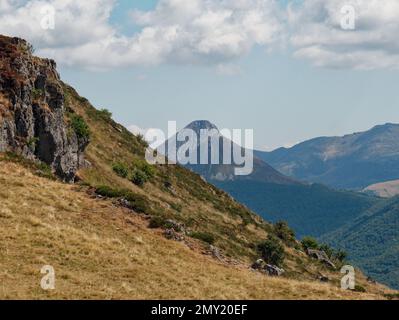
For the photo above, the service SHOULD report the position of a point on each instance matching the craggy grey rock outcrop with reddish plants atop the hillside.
(32, 112)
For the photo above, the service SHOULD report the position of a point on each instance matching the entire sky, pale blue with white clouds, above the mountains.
(289, 81)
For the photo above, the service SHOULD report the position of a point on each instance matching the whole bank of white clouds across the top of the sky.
(209, 32)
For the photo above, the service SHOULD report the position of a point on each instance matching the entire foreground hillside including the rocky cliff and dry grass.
(124, 229)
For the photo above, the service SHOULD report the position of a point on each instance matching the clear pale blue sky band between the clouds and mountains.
(284, 100)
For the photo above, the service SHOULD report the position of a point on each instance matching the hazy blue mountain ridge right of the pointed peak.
(353, 161)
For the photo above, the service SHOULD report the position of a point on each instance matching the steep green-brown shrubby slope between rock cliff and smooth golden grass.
(173, 192)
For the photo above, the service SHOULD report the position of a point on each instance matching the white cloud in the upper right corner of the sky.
(316, 34)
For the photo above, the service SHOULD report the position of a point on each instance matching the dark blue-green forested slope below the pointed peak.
(309, 209)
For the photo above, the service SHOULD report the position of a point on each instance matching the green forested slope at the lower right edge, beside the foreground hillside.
(373, 241)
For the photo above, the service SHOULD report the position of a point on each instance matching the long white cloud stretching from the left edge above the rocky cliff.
(207, 32)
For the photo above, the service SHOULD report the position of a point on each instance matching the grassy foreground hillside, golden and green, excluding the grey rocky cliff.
(102, 249)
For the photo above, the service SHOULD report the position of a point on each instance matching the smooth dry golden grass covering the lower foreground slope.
(100, 251)
